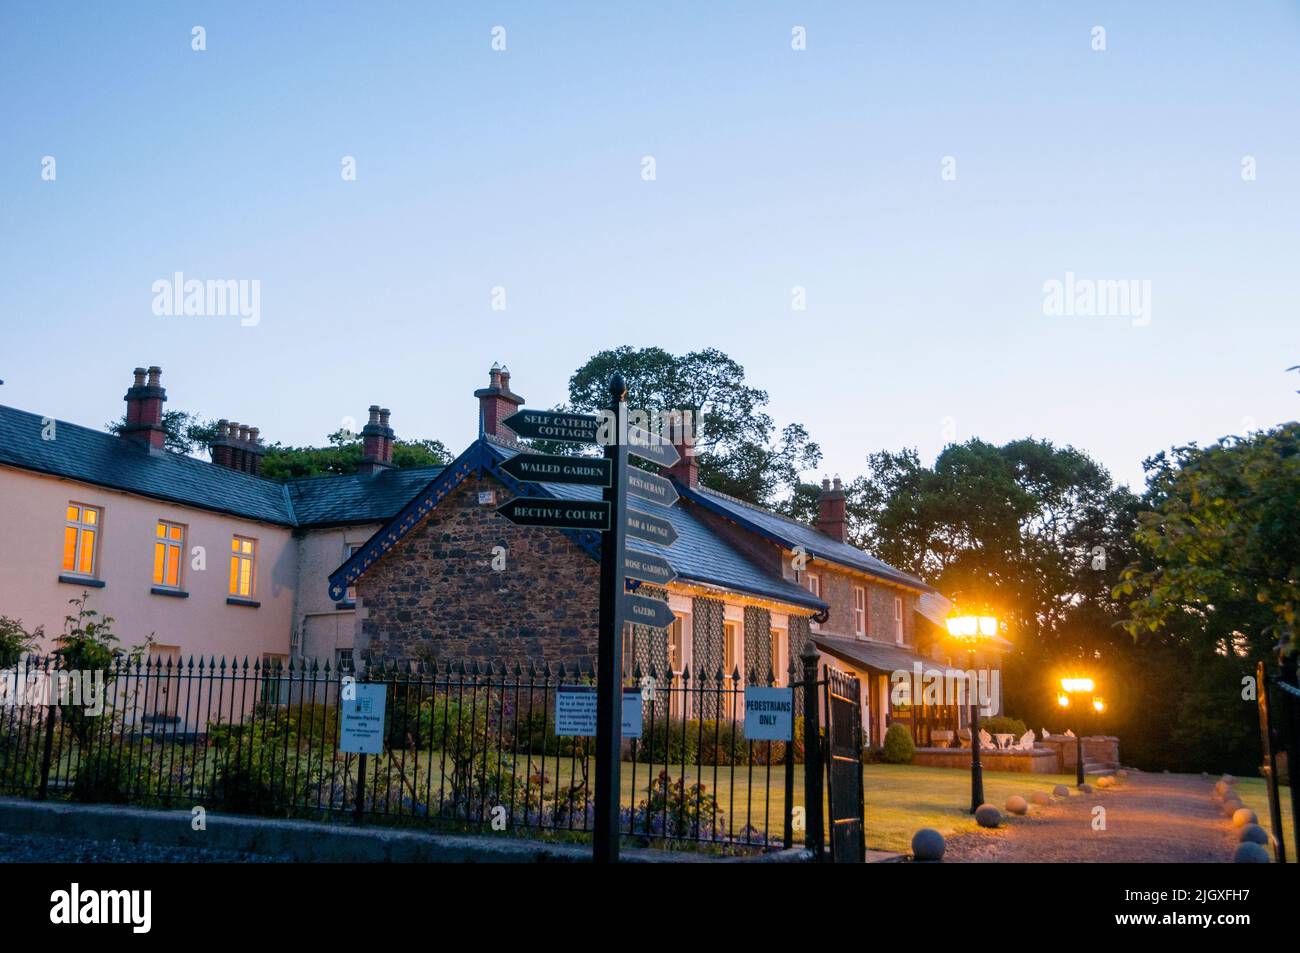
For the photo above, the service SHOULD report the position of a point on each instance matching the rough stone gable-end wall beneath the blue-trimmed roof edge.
(435, 596)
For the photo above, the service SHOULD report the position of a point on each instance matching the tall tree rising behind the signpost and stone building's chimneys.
(738, 447)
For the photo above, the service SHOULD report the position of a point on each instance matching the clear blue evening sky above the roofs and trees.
(774, 168)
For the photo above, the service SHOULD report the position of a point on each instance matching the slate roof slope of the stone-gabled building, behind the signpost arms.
(699, 555)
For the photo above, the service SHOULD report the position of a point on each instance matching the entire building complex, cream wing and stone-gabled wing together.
(213, 560)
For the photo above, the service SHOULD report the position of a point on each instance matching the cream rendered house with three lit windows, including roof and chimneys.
(206, 560)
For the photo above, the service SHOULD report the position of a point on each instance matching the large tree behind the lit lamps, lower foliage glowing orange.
(1035, 531)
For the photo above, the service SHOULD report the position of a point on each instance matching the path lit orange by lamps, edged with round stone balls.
(1150, 818)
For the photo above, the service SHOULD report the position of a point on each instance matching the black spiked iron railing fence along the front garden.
(467, 748)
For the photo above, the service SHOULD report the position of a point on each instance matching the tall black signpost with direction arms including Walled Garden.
(617, 523)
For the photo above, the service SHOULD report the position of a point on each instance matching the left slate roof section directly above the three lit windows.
(94, 457)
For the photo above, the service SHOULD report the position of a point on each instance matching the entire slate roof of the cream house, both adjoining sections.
(103, 460)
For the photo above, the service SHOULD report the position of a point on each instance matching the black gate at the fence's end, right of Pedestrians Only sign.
(844, 768)
